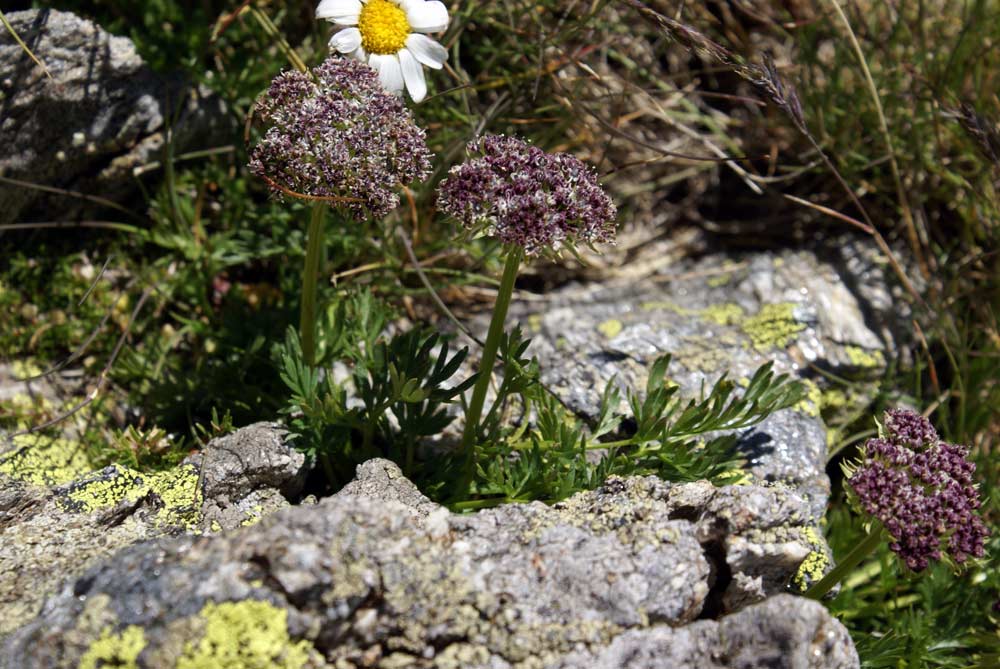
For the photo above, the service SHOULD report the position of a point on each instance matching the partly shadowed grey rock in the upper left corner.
(101, 115)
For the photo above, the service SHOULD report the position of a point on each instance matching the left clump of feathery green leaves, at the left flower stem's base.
(395, 394)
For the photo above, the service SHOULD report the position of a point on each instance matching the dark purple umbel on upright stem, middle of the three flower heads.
(527, 197)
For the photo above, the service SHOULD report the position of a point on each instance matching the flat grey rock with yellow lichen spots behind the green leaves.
(719, 315)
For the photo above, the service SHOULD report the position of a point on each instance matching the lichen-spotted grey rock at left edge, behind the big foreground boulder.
(50, 532)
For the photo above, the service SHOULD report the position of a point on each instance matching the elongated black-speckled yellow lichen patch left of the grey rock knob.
(176, 488)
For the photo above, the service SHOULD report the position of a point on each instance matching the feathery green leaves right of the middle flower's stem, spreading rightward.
(675, 438)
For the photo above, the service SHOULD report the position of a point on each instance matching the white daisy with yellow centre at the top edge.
(390, 36)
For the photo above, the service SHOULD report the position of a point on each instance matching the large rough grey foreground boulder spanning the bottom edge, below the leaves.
(636, 569)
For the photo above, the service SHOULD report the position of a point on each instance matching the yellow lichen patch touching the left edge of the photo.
(43, 461)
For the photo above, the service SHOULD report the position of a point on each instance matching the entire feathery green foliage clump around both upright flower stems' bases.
(393, 404)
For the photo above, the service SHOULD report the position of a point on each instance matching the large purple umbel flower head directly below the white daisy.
(340, 135)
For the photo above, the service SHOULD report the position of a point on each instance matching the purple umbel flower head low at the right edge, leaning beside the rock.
(922, 491)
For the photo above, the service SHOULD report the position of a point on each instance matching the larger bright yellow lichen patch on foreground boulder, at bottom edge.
(250, 634)
